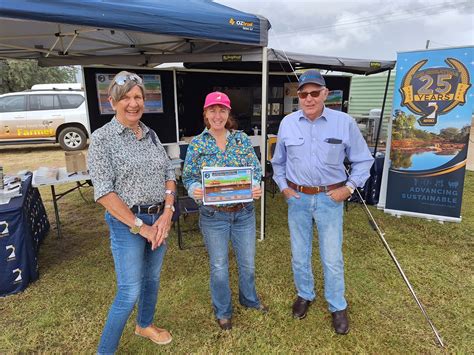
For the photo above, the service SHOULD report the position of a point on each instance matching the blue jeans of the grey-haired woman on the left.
(137, 269)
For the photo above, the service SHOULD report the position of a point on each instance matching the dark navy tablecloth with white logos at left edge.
(23, 225)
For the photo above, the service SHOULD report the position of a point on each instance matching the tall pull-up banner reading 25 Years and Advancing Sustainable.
(431, 118)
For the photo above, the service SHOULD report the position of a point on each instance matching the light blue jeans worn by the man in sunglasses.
(328, 216)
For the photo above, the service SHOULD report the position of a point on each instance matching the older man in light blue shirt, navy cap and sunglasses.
(308, 166)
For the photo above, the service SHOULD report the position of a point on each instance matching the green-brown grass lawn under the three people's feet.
(65, 309)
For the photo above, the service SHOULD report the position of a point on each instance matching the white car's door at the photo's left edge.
(13, 117)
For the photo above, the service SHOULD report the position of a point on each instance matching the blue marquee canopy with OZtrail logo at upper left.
(123, 32)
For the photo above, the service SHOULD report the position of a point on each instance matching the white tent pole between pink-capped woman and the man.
(263, 139)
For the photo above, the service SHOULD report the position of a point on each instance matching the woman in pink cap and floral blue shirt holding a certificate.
(221, 145)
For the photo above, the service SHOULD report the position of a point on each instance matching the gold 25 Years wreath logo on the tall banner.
(434, 91)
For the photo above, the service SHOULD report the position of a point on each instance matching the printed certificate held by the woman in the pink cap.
(227, 185)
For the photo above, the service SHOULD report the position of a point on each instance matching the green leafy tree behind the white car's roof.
(18, 75)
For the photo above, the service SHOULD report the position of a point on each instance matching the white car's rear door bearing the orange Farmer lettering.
(44, 115)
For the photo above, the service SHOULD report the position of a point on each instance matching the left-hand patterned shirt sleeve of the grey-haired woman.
(100, 167)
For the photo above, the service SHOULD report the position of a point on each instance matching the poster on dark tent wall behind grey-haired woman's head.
(153, 96)
